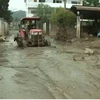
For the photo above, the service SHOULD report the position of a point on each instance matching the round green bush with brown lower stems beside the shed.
(63, 19)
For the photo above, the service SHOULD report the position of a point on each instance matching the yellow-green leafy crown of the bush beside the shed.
(63, 18)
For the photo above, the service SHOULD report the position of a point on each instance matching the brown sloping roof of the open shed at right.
(87, 12)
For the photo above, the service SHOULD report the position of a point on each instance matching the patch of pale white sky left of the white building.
(15, 5)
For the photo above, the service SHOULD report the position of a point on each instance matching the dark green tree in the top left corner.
(4, 12)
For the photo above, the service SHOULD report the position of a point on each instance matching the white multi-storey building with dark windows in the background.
(32, 4)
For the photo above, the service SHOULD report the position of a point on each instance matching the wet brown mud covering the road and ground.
(60, 71)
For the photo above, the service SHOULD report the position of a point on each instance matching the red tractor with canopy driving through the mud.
(30, 34)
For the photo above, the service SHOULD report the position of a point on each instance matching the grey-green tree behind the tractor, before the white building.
(44, 12)
